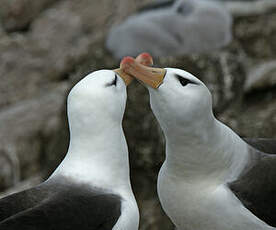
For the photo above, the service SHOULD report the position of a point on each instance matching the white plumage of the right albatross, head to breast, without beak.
(202, 156)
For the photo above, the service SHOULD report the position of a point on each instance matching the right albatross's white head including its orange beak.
(181, 102)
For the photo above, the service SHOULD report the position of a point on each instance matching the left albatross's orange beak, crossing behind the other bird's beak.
(143, 59)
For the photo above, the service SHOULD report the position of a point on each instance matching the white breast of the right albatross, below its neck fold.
(201, 207)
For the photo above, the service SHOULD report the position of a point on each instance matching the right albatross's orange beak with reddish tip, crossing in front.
(148, 75)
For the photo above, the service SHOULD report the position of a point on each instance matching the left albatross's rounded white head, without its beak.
(97, 102)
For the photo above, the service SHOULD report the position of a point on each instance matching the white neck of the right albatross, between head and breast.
(215, 155)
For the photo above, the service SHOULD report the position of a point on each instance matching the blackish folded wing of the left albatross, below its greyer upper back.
(71, 209)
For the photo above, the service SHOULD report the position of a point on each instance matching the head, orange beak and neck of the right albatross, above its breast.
(195, 139)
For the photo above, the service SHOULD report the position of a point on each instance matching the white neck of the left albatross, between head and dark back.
(101, 160)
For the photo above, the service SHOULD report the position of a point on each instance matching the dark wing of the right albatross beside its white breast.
(256, 188)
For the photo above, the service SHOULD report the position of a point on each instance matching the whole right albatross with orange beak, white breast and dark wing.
(211, 178)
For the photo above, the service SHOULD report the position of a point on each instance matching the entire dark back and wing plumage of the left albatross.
(66, 206)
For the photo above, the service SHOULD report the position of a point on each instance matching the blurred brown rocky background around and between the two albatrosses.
(46, 46)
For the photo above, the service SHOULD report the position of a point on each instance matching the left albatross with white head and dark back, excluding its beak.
(91, 187)
